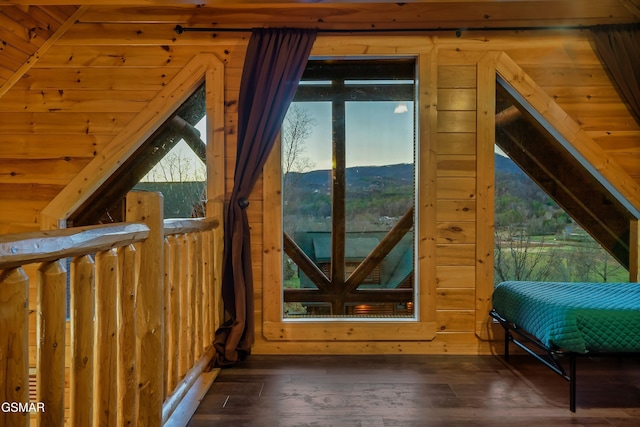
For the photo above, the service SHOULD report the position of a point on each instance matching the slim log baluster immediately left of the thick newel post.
(127, 383)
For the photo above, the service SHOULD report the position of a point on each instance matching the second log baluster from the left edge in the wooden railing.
(51, 329)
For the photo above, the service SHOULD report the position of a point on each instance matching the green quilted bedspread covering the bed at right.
(579, 317)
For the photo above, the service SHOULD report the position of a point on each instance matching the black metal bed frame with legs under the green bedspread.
(549, 358)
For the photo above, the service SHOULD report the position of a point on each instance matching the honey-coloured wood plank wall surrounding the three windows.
(98, 76)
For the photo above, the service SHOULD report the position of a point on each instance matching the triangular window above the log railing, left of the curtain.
(171, 161)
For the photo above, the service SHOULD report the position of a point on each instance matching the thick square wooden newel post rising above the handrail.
(149, 207)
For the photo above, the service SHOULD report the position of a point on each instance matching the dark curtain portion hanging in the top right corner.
(619, 48)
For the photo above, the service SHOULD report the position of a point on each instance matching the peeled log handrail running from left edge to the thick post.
(43, 246)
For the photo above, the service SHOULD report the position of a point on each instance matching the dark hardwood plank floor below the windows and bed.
(419, 391)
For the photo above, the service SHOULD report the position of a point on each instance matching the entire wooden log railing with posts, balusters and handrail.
(144, 304)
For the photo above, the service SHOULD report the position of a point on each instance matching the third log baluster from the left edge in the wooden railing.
(82, 329)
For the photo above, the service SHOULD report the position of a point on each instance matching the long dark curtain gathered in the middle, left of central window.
(274, 63)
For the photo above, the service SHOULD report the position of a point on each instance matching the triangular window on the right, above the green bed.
(568, 227)
